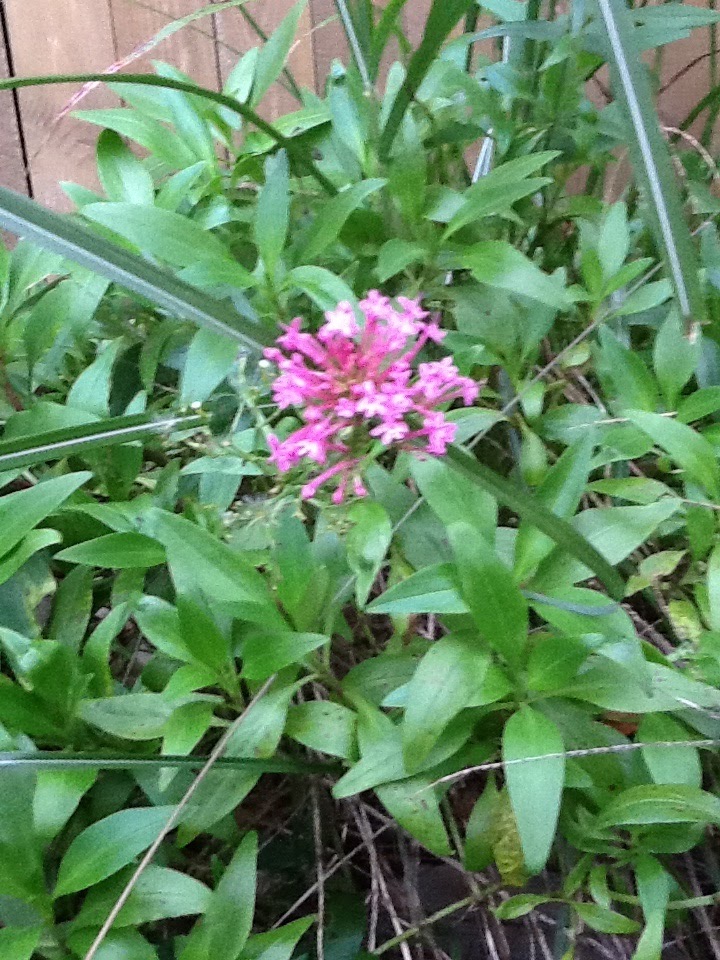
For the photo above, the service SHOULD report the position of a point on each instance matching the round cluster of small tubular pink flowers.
(354, 383)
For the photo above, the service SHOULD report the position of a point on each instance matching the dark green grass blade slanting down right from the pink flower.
(528, 509)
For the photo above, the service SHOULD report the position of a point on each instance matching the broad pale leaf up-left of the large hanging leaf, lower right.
(446, 681)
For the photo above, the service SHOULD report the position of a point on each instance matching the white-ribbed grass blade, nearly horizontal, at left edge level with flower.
(58, 444)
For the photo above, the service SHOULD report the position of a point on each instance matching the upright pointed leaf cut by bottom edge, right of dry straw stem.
(229, 917)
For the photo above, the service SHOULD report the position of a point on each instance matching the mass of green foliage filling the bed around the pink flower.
(512, 649)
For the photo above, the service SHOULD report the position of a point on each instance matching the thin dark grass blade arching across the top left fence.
(301, 157)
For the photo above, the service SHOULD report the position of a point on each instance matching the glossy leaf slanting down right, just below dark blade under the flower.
(487, 586)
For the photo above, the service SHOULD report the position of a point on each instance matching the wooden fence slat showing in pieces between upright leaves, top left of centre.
(238, 37)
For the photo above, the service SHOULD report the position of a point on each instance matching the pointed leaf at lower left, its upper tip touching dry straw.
(109, 845)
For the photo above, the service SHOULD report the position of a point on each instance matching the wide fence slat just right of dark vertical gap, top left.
(48, 36)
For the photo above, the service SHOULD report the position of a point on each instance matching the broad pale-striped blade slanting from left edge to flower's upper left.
(60, 234)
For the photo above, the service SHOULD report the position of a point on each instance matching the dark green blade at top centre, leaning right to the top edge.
(444, 16)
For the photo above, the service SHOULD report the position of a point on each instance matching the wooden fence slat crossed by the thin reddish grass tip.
(192, 49)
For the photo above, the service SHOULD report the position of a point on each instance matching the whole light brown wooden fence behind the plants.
(37, 151)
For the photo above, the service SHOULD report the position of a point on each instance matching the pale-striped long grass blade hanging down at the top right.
(653, 163)
